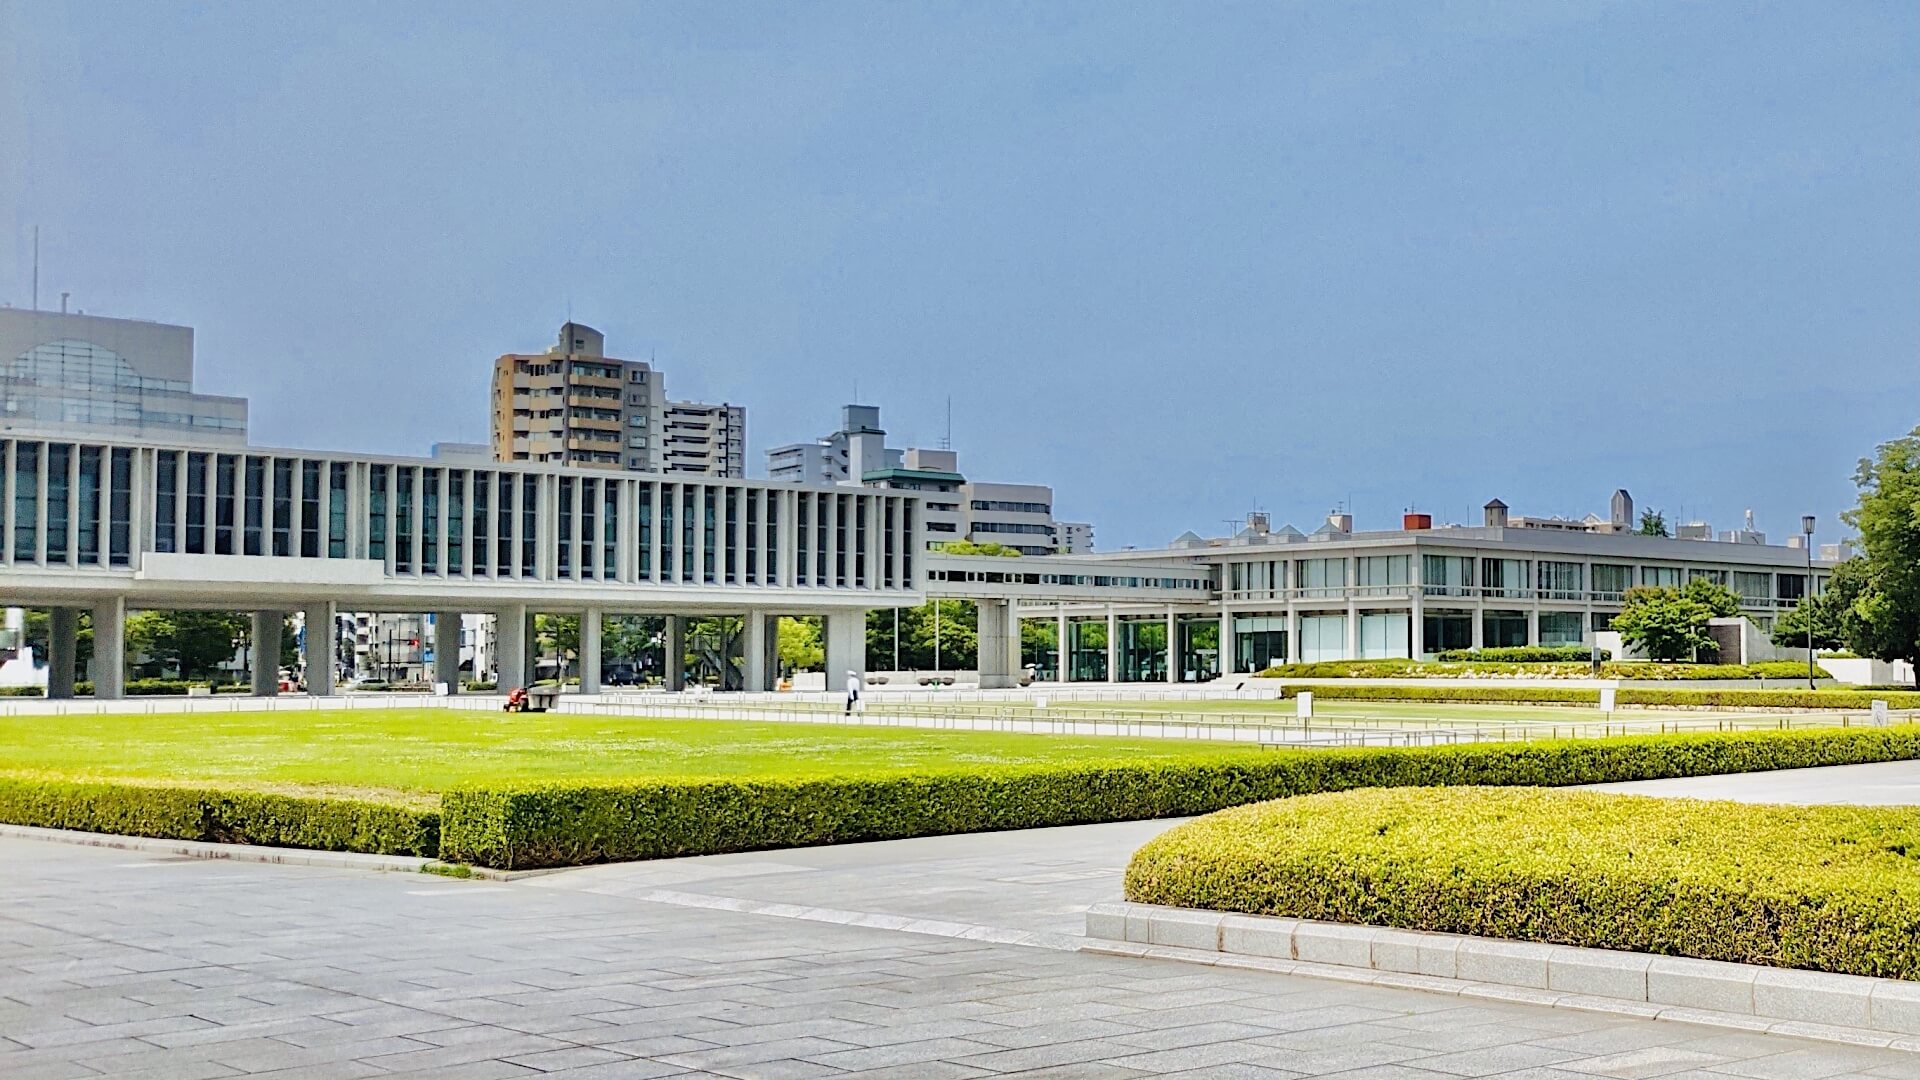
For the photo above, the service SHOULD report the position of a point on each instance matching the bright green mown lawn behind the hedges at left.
(420, 752)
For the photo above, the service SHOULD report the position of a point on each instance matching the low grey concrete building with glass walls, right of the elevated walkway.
(1406, 593)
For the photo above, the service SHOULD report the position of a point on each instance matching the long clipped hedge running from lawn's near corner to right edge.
(562, 825)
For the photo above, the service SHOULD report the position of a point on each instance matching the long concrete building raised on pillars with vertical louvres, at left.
(112, 528)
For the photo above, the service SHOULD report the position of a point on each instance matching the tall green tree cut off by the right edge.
(1883, 618)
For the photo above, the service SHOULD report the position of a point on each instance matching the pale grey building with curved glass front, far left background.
(85, 376)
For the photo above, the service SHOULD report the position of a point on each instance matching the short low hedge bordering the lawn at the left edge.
(220, 816)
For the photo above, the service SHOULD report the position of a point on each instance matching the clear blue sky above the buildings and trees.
(1176, 260)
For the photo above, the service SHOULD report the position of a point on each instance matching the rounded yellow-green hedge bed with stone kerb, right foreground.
(1827, 889)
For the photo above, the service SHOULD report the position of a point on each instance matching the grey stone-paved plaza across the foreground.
(114, 964)
